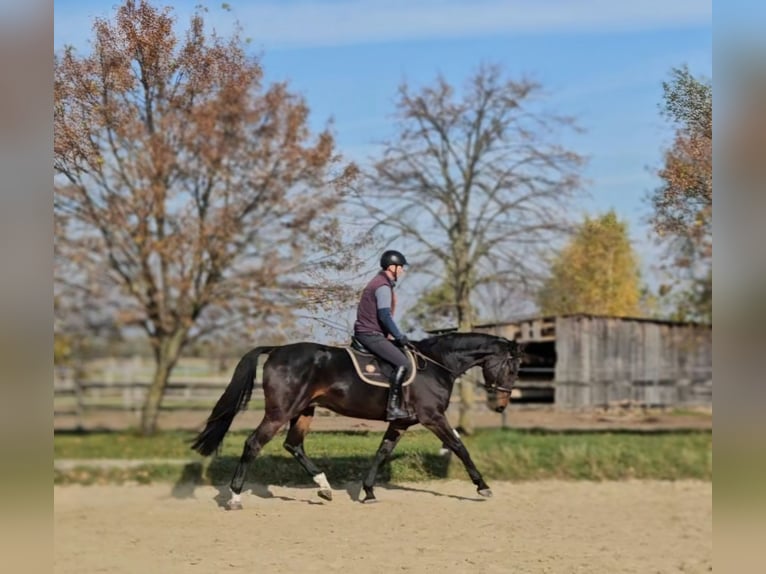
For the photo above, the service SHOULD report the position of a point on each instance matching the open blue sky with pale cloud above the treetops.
(600, 61)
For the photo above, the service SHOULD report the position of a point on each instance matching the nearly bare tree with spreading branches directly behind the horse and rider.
(476, 180)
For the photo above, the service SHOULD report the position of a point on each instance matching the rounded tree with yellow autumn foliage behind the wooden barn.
(597, 272)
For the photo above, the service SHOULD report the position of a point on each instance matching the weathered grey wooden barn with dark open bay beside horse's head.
(585, 361)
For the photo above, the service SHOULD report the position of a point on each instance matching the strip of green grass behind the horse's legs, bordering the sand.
(498, 454)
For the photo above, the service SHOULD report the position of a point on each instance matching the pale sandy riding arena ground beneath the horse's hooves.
(443, 526)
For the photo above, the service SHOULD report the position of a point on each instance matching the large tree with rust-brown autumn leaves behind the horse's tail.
(189, 198)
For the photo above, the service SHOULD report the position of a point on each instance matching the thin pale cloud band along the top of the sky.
(304, 23)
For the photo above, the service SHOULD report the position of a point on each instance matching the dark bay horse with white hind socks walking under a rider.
(298, 377)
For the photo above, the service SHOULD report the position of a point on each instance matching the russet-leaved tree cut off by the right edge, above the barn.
(683, 204)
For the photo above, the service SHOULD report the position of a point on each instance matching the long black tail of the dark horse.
(234, 399)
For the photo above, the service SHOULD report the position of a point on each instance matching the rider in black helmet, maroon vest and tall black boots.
(375, 324)
